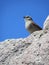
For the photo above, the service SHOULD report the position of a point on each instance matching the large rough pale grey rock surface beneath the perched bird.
(33, 50)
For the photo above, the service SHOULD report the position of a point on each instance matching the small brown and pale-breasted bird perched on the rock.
(30, 25)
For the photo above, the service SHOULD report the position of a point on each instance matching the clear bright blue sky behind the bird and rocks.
(12, 12)
